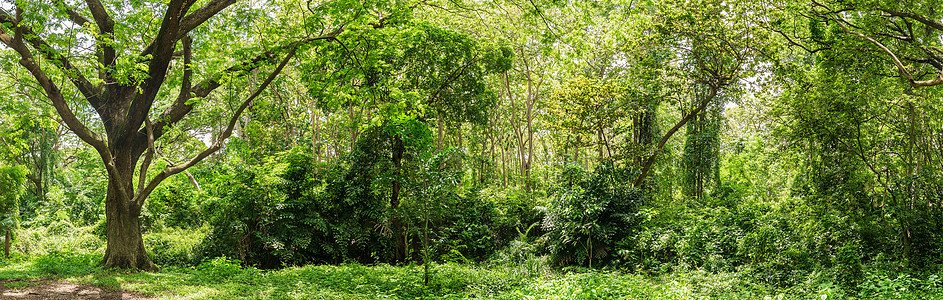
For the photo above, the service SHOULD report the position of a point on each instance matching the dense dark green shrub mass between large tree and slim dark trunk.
(288, 212)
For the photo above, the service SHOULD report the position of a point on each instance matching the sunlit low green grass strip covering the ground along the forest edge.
(224, 279)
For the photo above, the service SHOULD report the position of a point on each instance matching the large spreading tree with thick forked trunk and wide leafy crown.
(143, 68)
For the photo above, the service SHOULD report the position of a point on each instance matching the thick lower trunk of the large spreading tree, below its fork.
(125, 248)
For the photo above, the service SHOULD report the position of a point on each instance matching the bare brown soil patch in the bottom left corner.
(46, 289)
